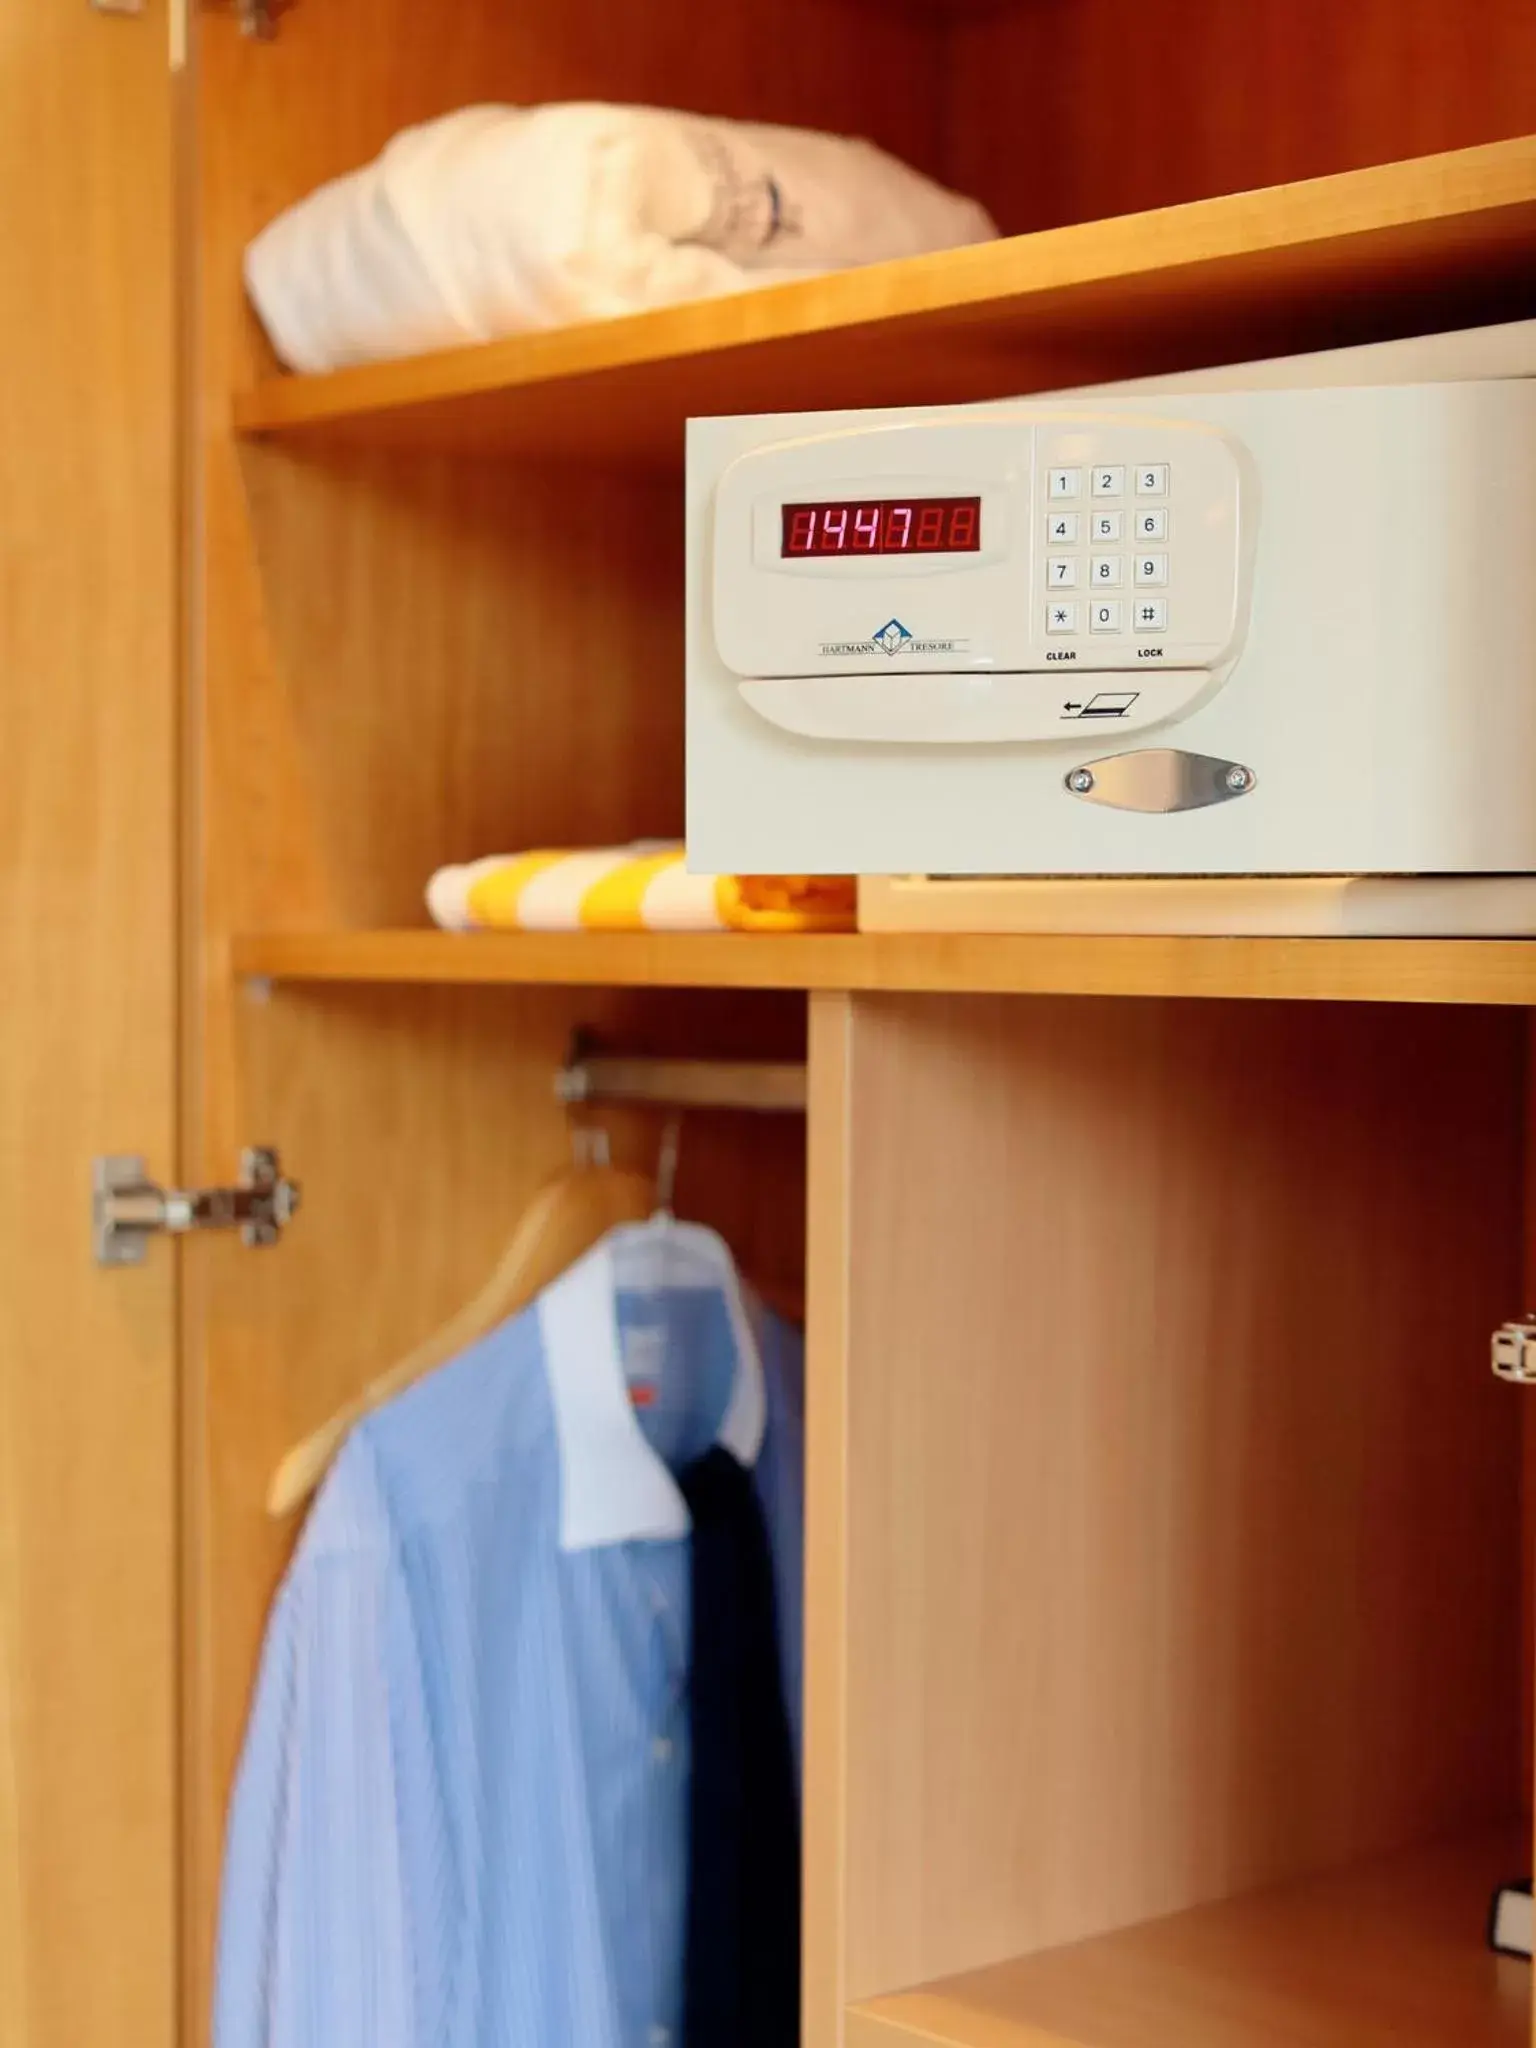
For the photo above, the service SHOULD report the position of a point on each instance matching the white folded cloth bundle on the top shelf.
(499, 220)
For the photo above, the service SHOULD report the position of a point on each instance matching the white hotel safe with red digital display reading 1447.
(1271, 622)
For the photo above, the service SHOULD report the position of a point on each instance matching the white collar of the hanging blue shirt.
(613, 1484)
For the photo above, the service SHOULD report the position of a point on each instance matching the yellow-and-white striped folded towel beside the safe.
(632, 890)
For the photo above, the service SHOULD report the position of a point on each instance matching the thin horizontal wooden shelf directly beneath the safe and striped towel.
(1318, 970)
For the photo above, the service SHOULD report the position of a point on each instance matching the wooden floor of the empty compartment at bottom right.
(1379, 1957)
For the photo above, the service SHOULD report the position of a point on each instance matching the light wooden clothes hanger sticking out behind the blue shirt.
(562, 1224)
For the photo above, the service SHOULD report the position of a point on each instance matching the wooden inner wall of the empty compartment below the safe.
(1183, 1510)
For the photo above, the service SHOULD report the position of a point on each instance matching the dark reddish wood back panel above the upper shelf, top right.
(1142, 105)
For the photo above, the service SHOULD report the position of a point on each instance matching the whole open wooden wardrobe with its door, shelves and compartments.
(1170, 1592)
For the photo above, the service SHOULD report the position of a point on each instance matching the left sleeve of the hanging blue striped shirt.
(314, 1916)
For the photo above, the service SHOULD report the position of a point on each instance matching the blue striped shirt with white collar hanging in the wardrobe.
(460, 1820)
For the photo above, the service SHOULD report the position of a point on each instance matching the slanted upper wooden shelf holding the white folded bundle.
(1441, 241)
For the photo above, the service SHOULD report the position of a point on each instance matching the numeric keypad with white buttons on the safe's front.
(1101, 568)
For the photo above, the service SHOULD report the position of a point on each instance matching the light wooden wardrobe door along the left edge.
(87, 1025)
